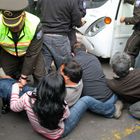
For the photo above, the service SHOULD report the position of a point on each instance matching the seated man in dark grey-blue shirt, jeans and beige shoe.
(104, 101)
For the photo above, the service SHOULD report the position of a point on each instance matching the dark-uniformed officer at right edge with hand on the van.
(133, 44)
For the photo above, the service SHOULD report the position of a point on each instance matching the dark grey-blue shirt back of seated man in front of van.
(93, 77)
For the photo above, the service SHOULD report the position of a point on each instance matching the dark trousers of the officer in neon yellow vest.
(12, 66)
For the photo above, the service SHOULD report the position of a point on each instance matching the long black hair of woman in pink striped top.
(49, 104)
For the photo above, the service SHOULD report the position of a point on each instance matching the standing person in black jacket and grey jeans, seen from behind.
(57, 18)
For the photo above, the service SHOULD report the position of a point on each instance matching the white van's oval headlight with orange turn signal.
(97, 26)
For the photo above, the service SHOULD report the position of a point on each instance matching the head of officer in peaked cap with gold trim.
(13, 14)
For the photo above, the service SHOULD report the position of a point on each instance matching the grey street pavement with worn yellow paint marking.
(15, 126)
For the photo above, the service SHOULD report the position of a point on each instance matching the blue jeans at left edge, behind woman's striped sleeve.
(6, 88)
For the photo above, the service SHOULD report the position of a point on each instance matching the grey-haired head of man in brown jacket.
(121, 63)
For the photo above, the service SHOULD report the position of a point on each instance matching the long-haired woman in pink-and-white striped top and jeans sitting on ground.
(46, 108)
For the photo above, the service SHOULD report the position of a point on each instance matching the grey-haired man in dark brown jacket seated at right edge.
(127, 82)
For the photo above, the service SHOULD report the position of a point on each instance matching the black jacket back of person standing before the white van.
(59, 16)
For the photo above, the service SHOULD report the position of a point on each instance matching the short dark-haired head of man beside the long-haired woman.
(71, 71)
